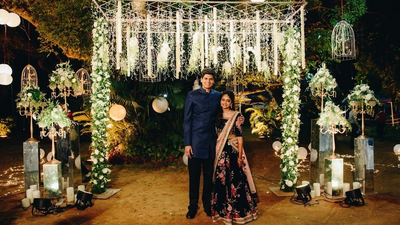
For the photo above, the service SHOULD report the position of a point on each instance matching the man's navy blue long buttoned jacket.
(199, 122)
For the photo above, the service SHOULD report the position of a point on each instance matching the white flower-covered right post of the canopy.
(290, 109)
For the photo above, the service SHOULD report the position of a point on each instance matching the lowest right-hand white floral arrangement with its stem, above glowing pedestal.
(333, 121)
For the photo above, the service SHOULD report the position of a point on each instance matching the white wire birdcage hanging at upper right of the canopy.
(343, 42)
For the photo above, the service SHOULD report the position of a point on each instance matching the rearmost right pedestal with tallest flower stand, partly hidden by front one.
(322, 86)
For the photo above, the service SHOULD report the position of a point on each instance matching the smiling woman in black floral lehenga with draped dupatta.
(231, 199)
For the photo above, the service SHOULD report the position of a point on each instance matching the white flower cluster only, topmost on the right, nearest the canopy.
(322, 81)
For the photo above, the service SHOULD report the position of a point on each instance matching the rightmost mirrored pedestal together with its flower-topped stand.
(362, 101)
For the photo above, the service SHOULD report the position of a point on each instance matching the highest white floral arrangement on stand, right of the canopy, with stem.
(323, 84)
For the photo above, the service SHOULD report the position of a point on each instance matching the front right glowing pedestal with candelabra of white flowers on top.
(333, 121)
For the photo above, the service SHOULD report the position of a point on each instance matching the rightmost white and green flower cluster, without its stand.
(362, 96)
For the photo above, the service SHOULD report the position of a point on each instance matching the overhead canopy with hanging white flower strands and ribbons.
(158, 40)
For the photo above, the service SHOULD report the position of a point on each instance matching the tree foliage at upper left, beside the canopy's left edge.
(67, 25)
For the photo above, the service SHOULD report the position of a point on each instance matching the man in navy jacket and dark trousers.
(200, 139)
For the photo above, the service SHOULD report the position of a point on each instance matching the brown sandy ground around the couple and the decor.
(160, 195)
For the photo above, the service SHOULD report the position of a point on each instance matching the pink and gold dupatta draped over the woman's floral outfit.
(221, 141)
